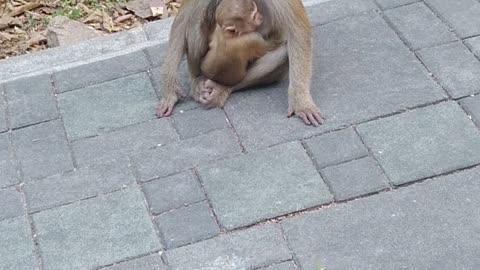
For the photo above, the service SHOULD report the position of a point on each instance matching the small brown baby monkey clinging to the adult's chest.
(234, 43)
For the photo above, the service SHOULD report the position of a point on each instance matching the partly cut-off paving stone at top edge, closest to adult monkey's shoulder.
(334, 10)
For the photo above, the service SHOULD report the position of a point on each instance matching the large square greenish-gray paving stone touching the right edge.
(423, 142)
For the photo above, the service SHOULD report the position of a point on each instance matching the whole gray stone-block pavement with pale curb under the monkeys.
(90, 179)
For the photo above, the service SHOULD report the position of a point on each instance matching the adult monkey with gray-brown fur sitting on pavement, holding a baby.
(284, 20)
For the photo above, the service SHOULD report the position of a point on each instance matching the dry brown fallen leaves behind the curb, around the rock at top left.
(23, 23)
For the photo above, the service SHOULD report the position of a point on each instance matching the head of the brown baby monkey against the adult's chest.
(238, 17)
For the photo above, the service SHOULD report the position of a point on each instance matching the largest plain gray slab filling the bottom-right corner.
(432, 225)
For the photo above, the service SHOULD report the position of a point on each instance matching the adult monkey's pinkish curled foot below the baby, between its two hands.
(212, 94)
